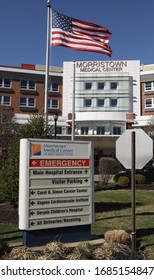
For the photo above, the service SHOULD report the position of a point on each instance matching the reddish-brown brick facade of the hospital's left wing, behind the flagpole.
(15, 92)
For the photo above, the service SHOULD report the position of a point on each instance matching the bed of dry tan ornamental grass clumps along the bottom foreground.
(110, 248)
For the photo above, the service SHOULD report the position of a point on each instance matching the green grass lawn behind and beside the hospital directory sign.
(112, 211)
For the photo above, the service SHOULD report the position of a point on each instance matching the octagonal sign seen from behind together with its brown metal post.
(131, 153)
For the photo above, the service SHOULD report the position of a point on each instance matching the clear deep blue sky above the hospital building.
(23, 30)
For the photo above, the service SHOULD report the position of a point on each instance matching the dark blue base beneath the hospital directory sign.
(65, 234)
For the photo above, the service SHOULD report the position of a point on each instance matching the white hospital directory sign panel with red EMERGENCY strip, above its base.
(55, 184)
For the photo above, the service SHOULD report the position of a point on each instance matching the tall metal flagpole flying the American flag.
(47, 62)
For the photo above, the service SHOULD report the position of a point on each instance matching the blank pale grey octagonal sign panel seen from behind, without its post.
(143, 151)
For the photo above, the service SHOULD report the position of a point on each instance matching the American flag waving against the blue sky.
(79, 35)
